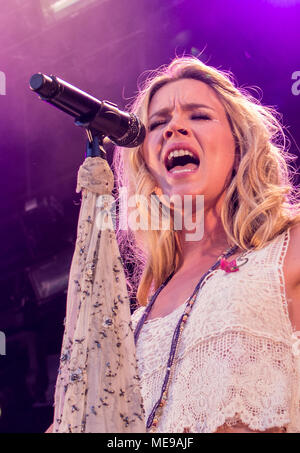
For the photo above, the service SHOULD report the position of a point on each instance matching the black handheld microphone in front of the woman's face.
(101, 117)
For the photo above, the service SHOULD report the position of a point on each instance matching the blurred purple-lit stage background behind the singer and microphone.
(102, 47)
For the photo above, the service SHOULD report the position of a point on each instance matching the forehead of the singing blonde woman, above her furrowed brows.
(184, 91)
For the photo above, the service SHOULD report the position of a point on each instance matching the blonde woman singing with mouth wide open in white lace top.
(216, 344)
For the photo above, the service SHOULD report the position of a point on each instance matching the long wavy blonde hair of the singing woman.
(261, 200)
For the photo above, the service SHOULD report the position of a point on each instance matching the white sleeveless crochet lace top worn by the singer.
(238, 358)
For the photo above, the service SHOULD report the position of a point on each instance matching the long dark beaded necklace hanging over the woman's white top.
(158, 407)
